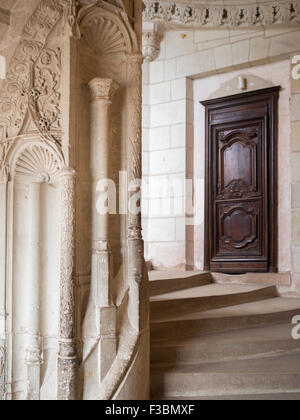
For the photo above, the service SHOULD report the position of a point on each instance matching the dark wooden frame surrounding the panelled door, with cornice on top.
(269, 97)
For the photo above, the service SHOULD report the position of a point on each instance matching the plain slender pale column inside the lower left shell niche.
(33, 351)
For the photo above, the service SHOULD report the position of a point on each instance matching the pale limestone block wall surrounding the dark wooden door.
(190, 58)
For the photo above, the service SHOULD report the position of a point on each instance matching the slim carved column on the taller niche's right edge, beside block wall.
(134, 159)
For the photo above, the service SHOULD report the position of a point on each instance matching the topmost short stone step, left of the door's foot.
(162, 282)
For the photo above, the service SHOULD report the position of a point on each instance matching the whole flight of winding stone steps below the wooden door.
(221, 341)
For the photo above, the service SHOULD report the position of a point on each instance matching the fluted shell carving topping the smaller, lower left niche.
(38, 162)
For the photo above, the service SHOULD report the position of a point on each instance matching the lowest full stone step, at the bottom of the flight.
(277, 374)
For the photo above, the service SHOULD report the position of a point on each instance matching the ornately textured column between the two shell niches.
(68, 358)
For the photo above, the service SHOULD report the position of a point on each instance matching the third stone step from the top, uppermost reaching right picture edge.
(266, 312)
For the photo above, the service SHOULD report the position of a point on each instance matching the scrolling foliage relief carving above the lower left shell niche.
(33, 78)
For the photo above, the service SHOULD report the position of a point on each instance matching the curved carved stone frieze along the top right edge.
(196, 15)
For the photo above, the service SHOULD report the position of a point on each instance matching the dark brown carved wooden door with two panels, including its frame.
(241, 183)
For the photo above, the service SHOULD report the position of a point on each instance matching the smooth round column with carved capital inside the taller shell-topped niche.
(102, 92)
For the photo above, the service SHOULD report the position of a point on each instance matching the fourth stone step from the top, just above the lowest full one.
(235, 345)
